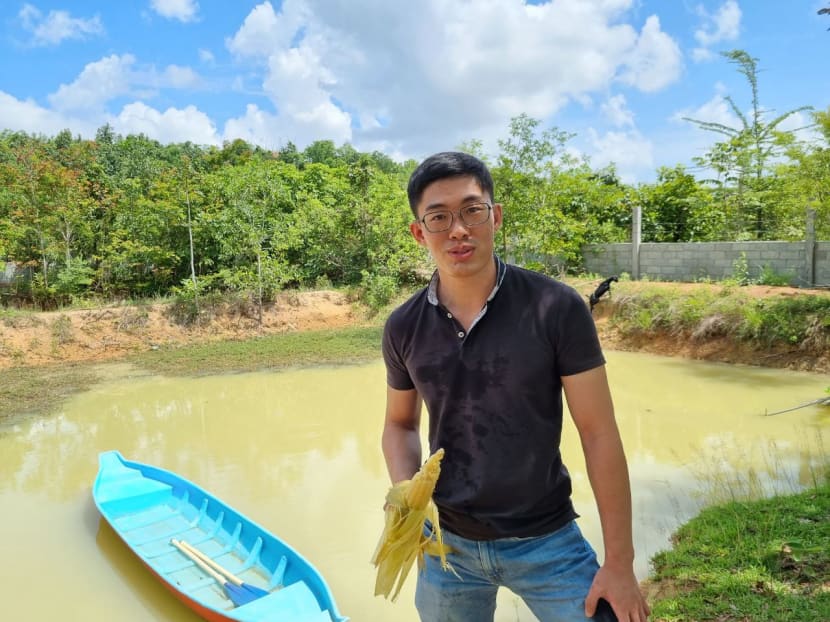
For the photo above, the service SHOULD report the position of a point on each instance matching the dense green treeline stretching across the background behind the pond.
(125, 217)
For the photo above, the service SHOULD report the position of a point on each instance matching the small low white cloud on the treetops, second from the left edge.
(172, 125)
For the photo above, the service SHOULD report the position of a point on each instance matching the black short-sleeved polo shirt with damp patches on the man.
(494, 398)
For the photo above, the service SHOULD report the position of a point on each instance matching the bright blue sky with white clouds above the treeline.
(410, 78)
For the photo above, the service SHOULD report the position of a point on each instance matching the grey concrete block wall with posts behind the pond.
(693, 261)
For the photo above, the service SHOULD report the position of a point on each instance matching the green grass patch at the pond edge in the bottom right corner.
(765, 561)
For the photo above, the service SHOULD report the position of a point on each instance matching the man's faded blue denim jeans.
(551, 574)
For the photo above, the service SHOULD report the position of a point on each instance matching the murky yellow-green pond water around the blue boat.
(299, 452)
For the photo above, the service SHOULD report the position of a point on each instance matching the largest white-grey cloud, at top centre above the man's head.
(423, 76)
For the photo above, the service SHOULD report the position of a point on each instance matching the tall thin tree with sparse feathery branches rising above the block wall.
(743, 160)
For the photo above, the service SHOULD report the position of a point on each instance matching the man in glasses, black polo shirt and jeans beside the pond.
(489, 348)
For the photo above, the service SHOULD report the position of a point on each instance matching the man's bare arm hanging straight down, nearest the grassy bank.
(590, 404)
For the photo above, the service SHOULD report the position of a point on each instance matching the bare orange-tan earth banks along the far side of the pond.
(108, 333)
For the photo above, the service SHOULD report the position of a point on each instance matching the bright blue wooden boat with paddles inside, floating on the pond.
(205, 552)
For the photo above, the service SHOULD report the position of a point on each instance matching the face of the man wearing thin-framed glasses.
(461, 250)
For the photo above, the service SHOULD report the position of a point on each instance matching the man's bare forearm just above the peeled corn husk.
(401, 440)
